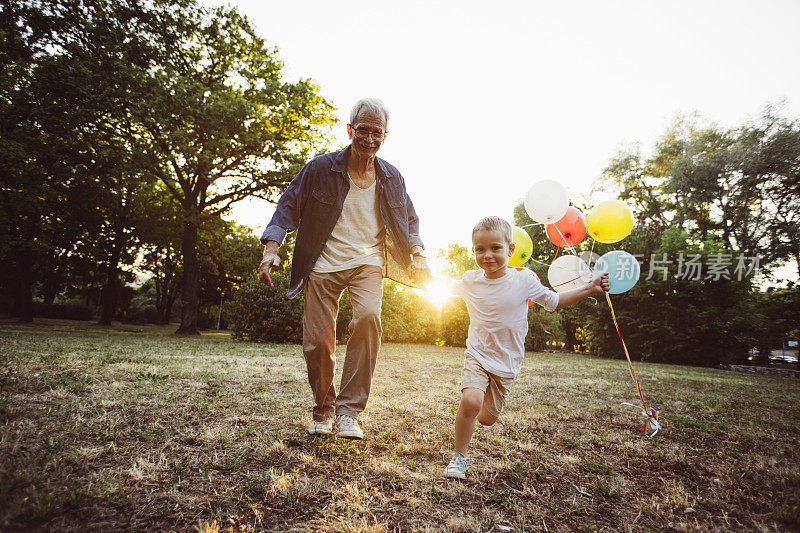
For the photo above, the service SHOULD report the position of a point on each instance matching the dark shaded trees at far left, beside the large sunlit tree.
(71, 188)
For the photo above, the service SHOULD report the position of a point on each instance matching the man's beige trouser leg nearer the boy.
(366, 289)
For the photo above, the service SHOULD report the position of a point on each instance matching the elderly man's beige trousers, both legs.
(322, 293)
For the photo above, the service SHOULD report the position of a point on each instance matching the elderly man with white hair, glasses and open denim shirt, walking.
(355, 225)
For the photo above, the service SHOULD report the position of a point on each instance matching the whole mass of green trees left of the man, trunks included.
(106, 106)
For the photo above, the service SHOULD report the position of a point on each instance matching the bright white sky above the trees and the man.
(489, 97)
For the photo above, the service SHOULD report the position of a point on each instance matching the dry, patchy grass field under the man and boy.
(133, 428)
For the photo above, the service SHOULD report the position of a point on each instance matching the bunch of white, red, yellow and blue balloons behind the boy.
(547, 202)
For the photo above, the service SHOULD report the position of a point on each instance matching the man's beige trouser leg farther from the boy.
(322, 293)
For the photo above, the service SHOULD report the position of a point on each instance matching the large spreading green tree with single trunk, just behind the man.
(228, 126)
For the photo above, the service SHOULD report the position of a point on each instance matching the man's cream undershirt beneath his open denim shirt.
(357, 238)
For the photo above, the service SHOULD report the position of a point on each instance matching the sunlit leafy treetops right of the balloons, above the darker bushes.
(738, 185)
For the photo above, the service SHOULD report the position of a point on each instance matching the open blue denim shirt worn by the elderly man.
(313, 203)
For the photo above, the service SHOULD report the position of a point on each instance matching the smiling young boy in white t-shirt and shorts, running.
(497, 301)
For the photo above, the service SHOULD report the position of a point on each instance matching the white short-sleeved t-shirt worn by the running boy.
(498, 316)
